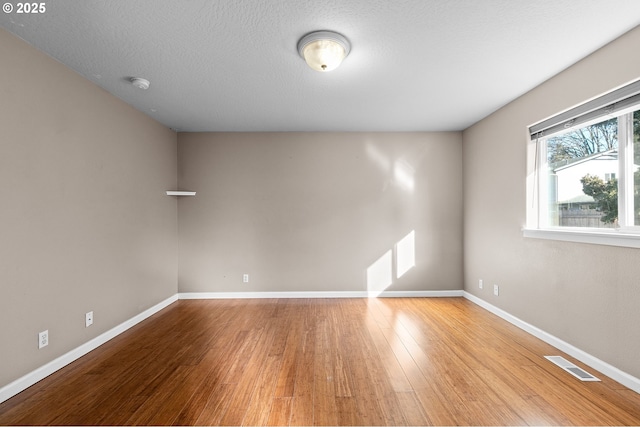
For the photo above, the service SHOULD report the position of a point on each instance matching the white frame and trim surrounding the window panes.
(627, 234)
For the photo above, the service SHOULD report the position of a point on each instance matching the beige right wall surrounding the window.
(587, 295)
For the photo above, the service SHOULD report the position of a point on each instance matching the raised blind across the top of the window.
(602, 106)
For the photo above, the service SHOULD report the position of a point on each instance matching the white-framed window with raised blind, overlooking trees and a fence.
(586, 175)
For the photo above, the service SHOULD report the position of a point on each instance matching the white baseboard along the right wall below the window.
(611, 371)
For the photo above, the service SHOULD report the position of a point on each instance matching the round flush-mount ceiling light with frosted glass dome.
(324, 50)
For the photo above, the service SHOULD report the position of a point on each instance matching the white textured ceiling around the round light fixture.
(232, 65)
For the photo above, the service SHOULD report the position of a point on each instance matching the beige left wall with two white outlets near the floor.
(85, 221)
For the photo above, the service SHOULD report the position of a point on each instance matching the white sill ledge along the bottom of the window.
(579, 235)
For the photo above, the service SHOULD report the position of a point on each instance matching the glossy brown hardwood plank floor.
(401, 361)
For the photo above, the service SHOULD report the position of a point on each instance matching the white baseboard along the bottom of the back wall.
(336, 294)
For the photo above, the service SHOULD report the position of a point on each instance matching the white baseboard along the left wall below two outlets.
(44, 371)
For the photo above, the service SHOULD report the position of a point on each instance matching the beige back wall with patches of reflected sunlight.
(312, 211)
